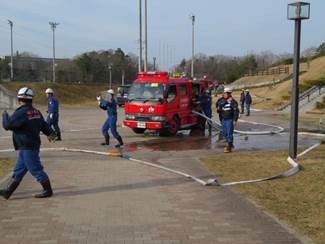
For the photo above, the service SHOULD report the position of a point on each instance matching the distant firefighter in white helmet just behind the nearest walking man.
(53, 112)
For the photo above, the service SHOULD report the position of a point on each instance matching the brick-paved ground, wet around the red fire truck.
(101, 199)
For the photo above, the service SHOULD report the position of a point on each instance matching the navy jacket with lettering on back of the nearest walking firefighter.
(26, 123)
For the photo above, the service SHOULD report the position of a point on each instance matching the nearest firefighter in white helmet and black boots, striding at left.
(26, 123)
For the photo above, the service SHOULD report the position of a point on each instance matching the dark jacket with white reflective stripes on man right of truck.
(227, 110)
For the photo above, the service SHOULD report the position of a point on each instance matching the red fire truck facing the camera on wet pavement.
(158, 102)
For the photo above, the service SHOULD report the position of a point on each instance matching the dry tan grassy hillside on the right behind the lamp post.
(273, 97)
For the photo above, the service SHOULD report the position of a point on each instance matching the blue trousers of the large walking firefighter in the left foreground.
(29, 160)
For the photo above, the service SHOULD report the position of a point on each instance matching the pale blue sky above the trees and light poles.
(231, 27)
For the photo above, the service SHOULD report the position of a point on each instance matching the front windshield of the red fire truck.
(146, 91)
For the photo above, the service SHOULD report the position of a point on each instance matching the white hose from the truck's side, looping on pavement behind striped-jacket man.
(213, 123)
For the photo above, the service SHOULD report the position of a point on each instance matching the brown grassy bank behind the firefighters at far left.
(69, 95)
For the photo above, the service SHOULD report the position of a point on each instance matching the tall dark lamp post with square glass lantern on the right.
(296, 11)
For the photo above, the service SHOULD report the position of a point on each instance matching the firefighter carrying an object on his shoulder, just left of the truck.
(110, 123)
